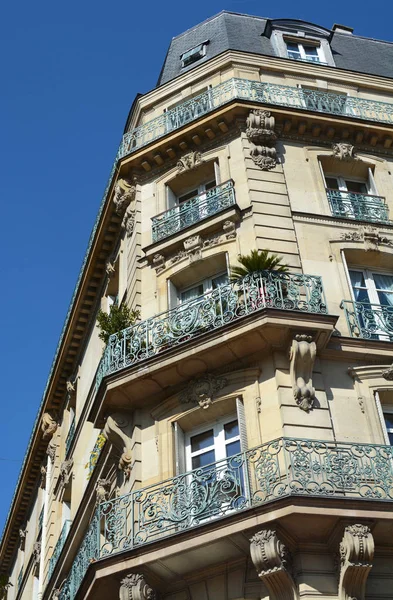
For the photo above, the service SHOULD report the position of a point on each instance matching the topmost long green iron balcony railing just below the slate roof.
(259, 92)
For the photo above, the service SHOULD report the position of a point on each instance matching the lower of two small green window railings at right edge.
(369, 321)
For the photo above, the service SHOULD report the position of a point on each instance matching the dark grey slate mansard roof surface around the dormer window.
(233, 31)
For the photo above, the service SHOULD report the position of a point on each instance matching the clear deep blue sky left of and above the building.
(70, 72)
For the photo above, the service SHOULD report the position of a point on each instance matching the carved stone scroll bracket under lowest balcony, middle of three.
(272, 562)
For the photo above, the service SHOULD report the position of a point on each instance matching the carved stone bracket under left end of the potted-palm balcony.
(118, 430)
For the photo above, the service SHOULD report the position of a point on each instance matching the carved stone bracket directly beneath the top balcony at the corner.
(262, 137)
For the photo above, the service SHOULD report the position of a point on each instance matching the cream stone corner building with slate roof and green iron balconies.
(235, 441)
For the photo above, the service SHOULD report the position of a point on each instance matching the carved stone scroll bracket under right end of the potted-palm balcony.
(302, 356)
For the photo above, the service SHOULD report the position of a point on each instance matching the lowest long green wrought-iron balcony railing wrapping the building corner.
(278, 469)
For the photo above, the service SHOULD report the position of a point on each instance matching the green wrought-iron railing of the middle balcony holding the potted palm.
(266, 289)
